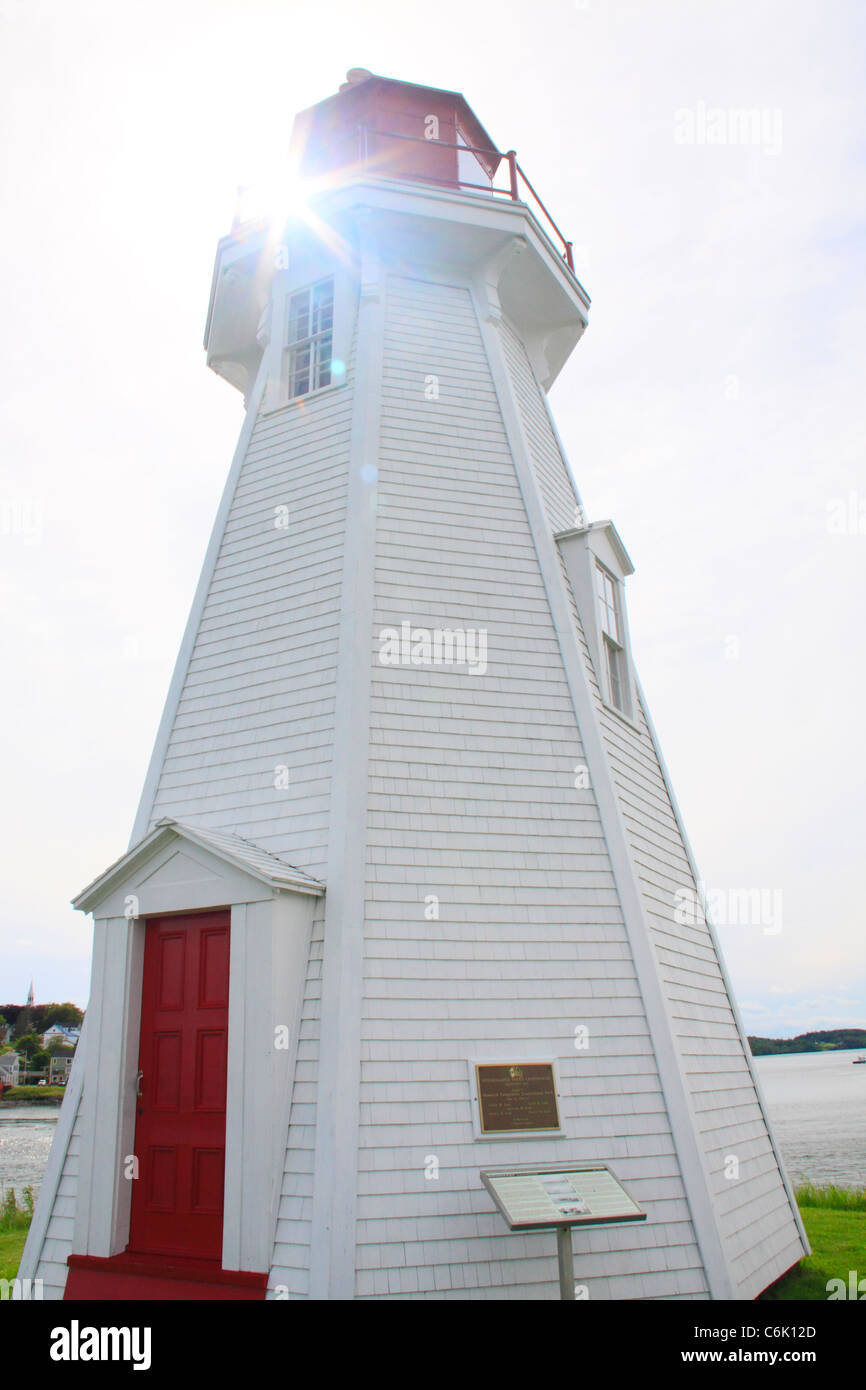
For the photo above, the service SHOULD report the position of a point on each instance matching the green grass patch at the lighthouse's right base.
(836, 1225)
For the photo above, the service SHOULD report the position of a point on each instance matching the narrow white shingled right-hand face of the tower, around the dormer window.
(755, 1216)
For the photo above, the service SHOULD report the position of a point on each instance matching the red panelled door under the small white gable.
(180, 1132)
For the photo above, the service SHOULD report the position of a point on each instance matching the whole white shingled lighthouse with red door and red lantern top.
(405, 896)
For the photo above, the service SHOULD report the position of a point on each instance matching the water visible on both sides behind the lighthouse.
(817, 1104)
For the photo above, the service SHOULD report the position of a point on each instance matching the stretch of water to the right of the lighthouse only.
(818, 1111)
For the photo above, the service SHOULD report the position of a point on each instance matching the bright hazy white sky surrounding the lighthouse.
(712, 409)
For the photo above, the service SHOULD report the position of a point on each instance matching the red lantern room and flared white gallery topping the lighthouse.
(419, 170)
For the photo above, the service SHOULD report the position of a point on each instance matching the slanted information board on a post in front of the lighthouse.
(561, 1196)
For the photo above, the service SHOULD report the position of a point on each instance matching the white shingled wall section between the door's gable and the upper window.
(261, 686)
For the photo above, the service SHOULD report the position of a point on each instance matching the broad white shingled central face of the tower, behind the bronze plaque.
(472, 797)
